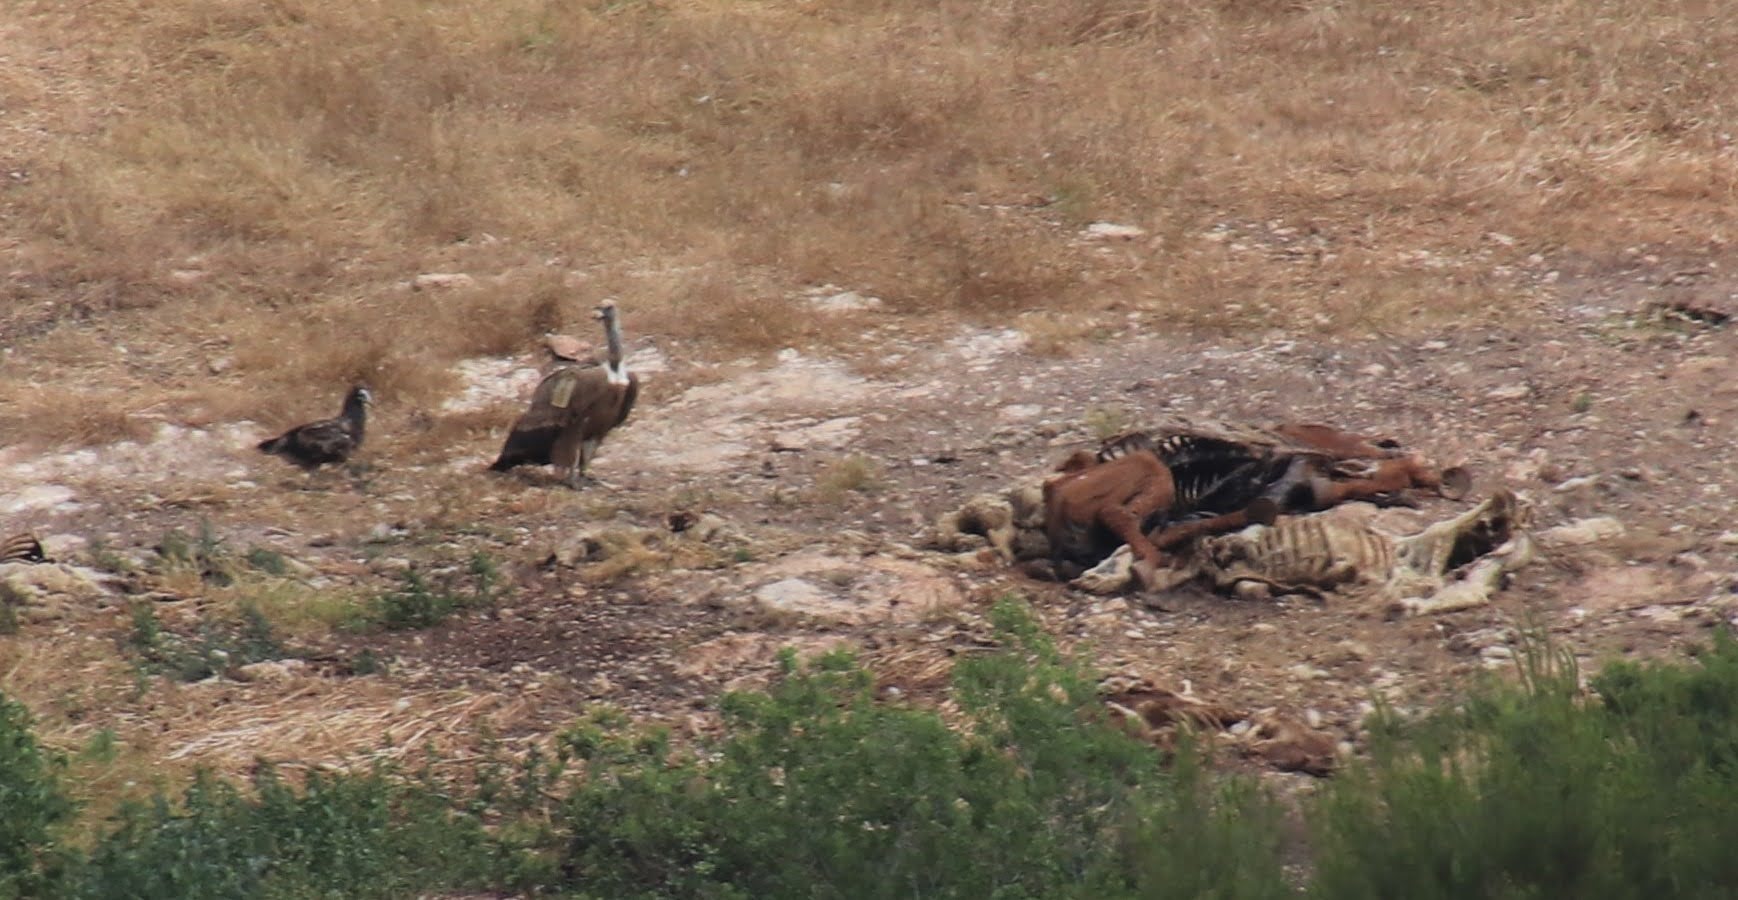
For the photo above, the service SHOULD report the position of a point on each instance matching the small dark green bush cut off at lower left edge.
(32, 805)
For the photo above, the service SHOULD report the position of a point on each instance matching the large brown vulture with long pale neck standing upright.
(573, 409)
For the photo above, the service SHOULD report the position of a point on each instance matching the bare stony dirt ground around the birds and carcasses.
(1589, 395)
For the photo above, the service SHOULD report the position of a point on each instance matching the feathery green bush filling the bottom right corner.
(1534, 791)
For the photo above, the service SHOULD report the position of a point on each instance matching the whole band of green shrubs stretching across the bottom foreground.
(1523, 790)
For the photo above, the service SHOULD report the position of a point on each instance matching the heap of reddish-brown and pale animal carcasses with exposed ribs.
(1249, 513)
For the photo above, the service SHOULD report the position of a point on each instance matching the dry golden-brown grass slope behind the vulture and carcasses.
(262, 180)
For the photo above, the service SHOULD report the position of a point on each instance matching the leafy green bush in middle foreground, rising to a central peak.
(821, 791)
